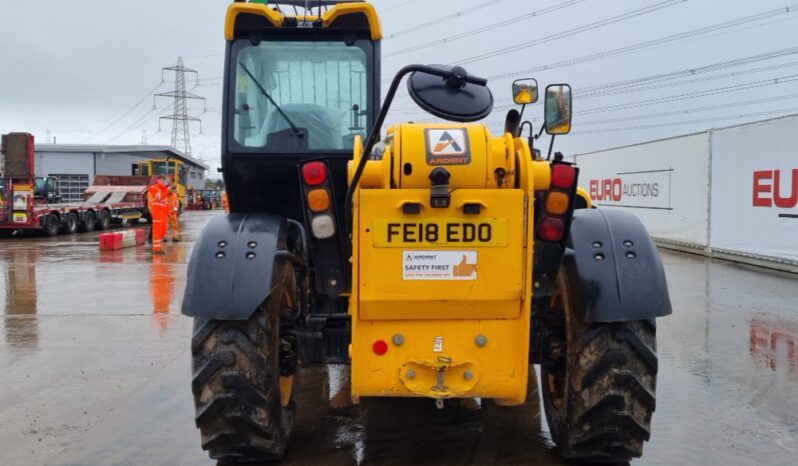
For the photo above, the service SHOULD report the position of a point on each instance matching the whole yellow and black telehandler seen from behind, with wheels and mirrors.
(438, 260)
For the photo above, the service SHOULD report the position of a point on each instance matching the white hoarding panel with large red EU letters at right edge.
(755, 189)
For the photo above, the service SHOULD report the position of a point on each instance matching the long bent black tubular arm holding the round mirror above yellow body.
(454, 75)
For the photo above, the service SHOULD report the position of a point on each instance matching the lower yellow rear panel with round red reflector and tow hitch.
(442, 359)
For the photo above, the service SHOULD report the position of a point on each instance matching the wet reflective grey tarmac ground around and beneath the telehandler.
(95, 370)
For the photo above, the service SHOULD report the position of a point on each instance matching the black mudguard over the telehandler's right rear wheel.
(616, 266)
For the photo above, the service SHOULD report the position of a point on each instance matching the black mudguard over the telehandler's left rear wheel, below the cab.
(225, 280)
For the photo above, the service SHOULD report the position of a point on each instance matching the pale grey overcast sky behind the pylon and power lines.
(76, 67)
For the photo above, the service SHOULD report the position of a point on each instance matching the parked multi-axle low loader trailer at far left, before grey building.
(32, 203)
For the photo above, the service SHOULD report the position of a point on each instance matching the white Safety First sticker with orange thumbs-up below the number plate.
(439, 265)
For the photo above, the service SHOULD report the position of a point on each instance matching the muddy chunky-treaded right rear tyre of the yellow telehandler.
(598, 382)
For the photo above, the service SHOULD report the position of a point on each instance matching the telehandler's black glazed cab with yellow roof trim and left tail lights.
(300, 89)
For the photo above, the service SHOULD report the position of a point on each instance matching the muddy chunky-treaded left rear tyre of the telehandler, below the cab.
(243, 374)
